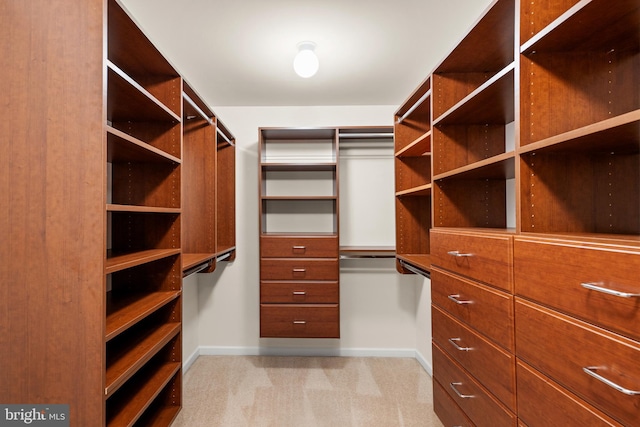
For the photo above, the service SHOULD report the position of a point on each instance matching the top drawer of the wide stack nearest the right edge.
(553, 273)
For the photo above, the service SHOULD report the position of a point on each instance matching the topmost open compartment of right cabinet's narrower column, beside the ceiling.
(486, 51)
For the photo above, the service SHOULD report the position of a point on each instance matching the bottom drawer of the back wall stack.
(299, 321)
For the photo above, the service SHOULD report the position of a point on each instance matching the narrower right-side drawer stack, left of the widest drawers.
(473, 334)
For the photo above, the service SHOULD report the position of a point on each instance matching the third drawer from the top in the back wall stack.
(299, 292)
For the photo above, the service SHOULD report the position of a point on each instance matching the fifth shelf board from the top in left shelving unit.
(124, 311)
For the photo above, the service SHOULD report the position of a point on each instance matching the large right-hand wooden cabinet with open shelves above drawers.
(535, 238)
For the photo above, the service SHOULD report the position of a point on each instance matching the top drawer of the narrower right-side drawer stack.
(484, 257)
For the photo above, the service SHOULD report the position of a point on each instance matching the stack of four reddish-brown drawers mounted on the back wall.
(299, 290)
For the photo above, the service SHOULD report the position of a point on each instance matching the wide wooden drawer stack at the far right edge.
(577, 310)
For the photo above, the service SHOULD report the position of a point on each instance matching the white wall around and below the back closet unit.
(382, 312)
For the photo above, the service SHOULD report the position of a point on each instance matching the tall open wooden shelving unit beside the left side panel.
(143, 136)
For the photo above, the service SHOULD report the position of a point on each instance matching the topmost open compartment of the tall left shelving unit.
(132, 52)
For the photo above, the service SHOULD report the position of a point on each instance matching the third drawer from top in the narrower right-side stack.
(490, 365)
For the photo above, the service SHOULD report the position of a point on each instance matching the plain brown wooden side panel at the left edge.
(52, 198)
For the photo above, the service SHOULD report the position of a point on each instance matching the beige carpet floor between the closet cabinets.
(268, 391)
